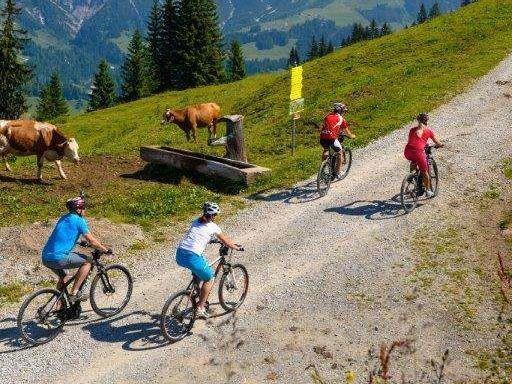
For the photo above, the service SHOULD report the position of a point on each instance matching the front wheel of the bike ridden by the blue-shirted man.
(111, 290)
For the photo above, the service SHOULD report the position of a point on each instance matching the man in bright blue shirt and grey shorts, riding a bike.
(58, 252)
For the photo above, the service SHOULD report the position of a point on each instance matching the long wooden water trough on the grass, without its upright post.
(211, 166)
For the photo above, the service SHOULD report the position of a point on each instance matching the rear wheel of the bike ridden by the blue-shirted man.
(40, 316)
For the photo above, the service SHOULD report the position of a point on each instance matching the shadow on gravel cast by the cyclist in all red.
(372, 210)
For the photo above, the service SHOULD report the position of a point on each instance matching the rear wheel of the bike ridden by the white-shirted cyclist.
(178, 316)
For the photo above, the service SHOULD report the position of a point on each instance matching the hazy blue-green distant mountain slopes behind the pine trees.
(71, 36)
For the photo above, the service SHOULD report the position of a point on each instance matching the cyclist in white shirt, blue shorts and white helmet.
(190, 250)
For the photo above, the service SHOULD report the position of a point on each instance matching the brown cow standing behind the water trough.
(194, 116)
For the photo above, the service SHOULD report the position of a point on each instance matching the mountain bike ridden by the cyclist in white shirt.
(180, 310)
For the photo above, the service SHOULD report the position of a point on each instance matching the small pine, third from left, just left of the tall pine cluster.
(103, 90)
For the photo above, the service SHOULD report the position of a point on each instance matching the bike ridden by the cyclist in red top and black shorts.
(327, 171)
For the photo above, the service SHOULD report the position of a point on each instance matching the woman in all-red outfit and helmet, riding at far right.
(415, 149)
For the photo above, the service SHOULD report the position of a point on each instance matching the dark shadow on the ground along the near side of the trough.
(168, 175)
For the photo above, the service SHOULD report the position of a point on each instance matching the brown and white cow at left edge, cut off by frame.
(27, 137)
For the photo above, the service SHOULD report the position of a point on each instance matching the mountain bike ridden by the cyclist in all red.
(412, 185)
